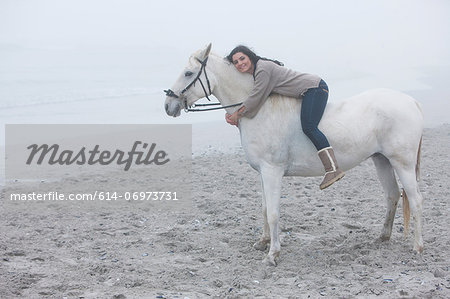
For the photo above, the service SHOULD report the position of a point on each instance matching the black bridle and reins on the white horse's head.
(187, 108)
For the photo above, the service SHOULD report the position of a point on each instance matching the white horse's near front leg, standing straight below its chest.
(271, 177)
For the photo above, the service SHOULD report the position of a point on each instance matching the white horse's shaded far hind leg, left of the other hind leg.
(391, 192)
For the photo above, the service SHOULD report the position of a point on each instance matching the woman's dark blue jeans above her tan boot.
(313, 105)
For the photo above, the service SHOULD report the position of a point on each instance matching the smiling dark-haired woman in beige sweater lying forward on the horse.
(271, 77)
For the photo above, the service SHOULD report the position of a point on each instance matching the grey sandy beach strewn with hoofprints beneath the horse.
(136, 249)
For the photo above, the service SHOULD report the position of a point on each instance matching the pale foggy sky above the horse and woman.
(351, 37)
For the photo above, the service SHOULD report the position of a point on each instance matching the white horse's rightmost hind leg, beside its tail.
(407, 175)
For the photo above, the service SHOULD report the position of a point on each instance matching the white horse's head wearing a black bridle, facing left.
(186, 90)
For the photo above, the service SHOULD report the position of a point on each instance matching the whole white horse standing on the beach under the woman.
(381, 124)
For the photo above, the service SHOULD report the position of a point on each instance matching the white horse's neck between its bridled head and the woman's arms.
(231, 87)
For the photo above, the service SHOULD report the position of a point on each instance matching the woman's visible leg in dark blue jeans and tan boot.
(313, 106)
